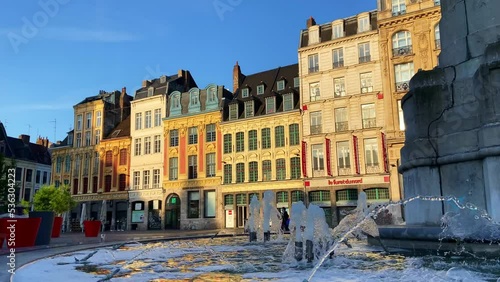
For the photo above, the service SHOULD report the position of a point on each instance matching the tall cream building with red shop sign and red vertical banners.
(342, 114)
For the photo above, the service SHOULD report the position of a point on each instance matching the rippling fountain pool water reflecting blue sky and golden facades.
(235, 259)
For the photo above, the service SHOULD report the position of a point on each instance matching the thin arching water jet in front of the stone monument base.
(371, 213)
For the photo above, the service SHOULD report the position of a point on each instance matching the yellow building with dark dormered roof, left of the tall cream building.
(261, 142)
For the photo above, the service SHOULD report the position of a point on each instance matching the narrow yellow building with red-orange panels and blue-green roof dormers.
(193, 158)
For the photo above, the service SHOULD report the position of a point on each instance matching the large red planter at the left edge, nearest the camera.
(26, 230)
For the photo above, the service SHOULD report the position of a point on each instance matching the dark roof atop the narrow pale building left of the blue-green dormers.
(172, 83)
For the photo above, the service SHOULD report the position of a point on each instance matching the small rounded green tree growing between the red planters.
(50, 198)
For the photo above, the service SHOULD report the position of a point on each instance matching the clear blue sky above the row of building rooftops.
(54, 53)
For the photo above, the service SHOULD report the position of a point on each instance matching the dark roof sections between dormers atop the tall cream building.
(350, 29)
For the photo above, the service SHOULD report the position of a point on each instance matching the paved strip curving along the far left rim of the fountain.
(71, 242)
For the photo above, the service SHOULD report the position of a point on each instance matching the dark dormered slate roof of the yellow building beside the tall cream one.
(269, 78)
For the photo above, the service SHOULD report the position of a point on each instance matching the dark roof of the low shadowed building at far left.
(15, 148)
